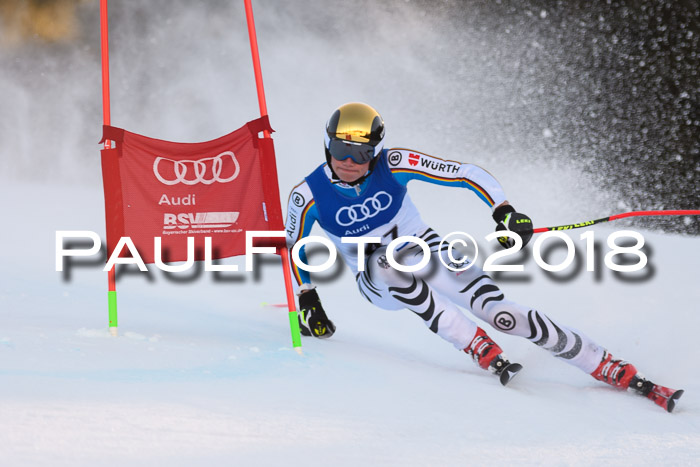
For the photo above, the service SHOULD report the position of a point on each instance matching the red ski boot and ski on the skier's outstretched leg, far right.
(624, 375)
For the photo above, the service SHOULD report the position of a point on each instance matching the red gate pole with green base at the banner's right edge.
(284, 252)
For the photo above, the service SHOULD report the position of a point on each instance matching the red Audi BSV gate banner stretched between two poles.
(217, 189)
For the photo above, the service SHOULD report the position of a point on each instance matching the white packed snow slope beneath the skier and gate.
(203, 372)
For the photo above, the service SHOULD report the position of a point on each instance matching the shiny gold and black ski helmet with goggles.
(355, 130)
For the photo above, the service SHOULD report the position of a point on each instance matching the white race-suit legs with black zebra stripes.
(436, 294)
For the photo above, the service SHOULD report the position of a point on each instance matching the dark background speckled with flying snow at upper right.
(621, 91)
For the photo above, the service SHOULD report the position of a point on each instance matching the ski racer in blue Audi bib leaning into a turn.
(360, 191)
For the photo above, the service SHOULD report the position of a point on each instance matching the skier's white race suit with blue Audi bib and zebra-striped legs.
(380, 207)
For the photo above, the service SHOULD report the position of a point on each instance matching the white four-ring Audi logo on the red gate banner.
(223, 168)
